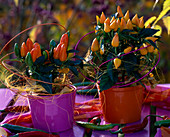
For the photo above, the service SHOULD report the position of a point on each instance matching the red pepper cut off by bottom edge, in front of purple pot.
(35, 134)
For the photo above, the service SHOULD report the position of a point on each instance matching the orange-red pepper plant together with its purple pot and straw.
(45, 80)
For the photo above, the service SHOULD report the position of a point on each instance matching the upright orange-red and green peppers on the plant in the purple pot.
(30, 51)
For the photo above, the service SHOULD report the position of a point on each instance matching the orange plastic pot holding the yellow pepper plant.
(122, 105)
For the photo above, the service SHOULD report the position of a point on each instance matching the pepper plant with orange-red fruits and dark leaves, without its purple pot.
(49, 66)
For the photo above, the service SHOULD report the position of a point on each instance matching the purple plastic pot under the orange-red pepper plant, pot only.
(53, 113)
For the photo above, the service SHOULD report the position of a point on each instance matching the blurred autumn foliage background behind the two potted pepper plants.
(77, 16)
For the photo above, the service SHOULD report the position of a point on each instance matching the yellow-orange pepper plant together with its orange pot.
(122, 56)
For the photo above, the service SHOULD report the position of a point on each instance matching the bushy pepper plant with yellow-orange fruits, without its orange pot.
(123, 51)
